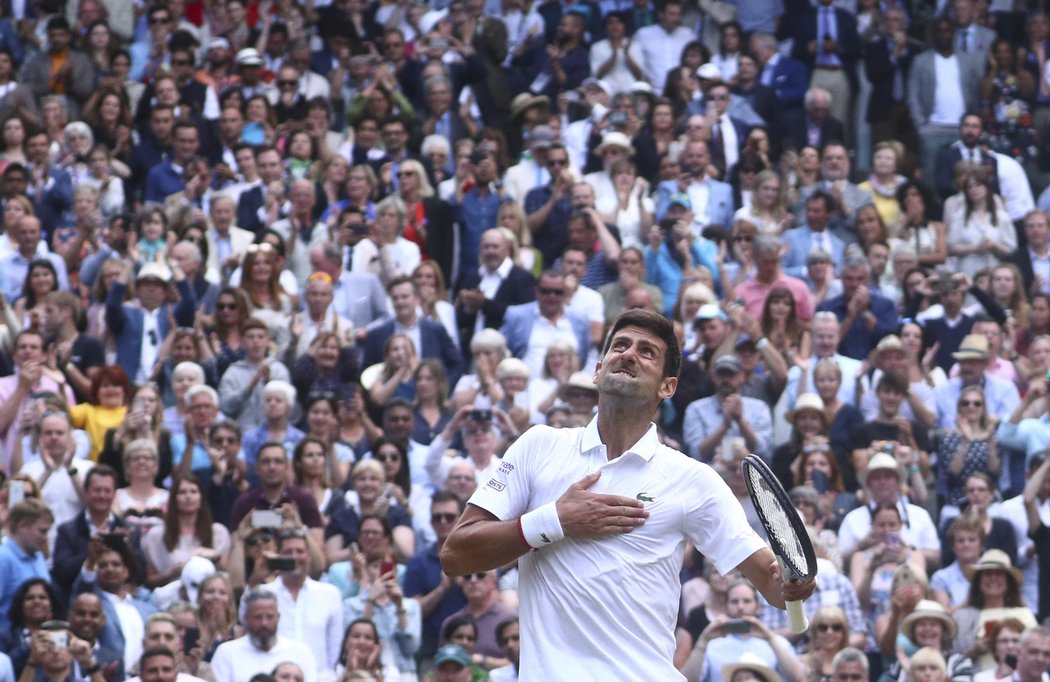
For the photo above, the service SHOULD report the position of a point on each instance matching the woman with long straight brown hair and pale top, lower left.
(187, 531)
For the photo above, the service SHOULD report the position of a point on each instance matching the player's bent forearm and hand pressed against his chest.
(481, 542)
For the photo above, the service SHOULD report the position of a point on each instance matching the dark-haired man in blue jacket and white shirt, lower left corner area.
(110, 573)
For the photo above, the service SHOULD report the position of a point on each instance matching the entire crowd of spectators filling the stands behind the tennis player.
(281, 283)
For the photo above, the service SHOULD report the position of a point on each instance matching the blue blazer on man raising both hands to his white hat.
(127, 323)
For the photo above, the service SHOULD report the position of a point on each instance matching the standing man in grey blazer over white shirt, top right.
(942, 88)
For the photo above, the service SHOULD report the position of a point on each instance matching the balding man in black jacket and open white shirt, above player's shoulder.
(484, 295)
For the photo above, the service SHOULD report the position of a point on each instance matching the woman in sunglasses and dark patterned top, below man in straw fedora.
(969, 449)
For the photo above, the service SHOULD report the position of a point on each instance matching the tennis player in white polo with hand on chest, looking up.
(599, 518)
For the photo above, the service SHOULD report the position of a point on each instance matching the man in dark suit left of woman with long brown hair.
(71, 545)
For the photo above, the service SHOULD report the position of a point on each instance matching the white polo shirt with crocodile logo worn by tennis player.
(606, 610)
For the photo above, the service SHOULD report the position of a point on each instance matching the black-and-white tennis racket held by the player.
(788, 537)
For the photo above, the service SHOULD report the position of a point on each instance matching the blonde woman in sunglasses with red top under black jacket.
(429, 221)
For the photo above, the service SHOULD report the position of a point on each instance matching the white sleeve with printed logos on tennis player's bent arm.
(508, 493)
